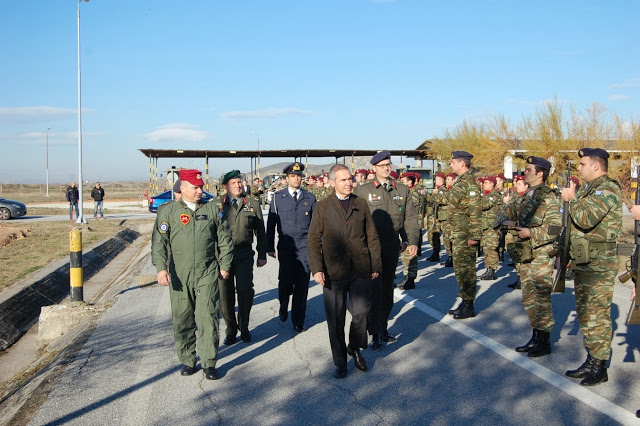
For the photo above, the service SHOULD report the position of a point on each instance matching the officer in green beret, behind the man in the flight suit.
(244, 215)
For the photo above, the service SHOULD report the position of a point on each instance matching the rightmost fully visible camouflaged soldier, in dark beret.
(596, 222)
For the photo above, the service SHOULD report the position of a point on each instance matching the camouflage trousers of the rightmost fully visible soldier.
(594, 294)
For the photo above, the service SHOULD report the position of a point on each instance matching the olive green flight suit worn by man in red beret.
(201, 245)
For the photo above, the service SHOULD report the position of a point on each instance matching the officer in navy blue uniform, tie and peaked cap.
(290, 211)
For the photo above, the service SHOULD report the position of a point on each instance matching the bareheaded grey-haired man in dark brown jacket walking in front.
(344, 256)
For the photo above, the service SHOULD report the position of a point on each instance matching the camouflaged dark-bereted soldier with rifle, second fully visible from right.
(539, 209)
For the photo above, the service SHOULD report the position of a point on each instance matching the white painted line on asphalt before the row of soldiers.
(580, 393)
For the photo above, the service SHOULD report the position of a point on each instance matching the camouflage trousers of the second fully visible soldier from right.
(536, 278)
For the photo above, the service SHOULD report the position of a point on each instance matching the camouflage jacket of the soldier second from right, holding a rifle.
(536, 209)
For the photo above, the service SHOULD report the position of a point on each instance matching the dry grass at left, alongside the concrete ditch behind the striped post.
(48, 241)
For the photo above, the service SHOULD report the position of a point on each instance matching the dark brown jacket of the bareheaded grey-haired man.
(343, 243)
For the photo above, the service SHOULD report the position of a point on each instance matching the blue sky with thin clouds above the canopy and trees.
(366, 74)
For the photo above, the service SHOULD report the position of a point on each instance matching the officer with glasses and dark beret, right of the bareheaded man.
(394, 215)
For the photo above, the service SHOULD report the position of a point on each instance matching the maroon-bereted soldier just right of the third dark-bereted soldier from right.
(491, 204)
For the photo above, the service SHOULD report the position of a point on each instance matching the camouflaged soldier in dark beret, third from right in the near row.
(465, 215)
